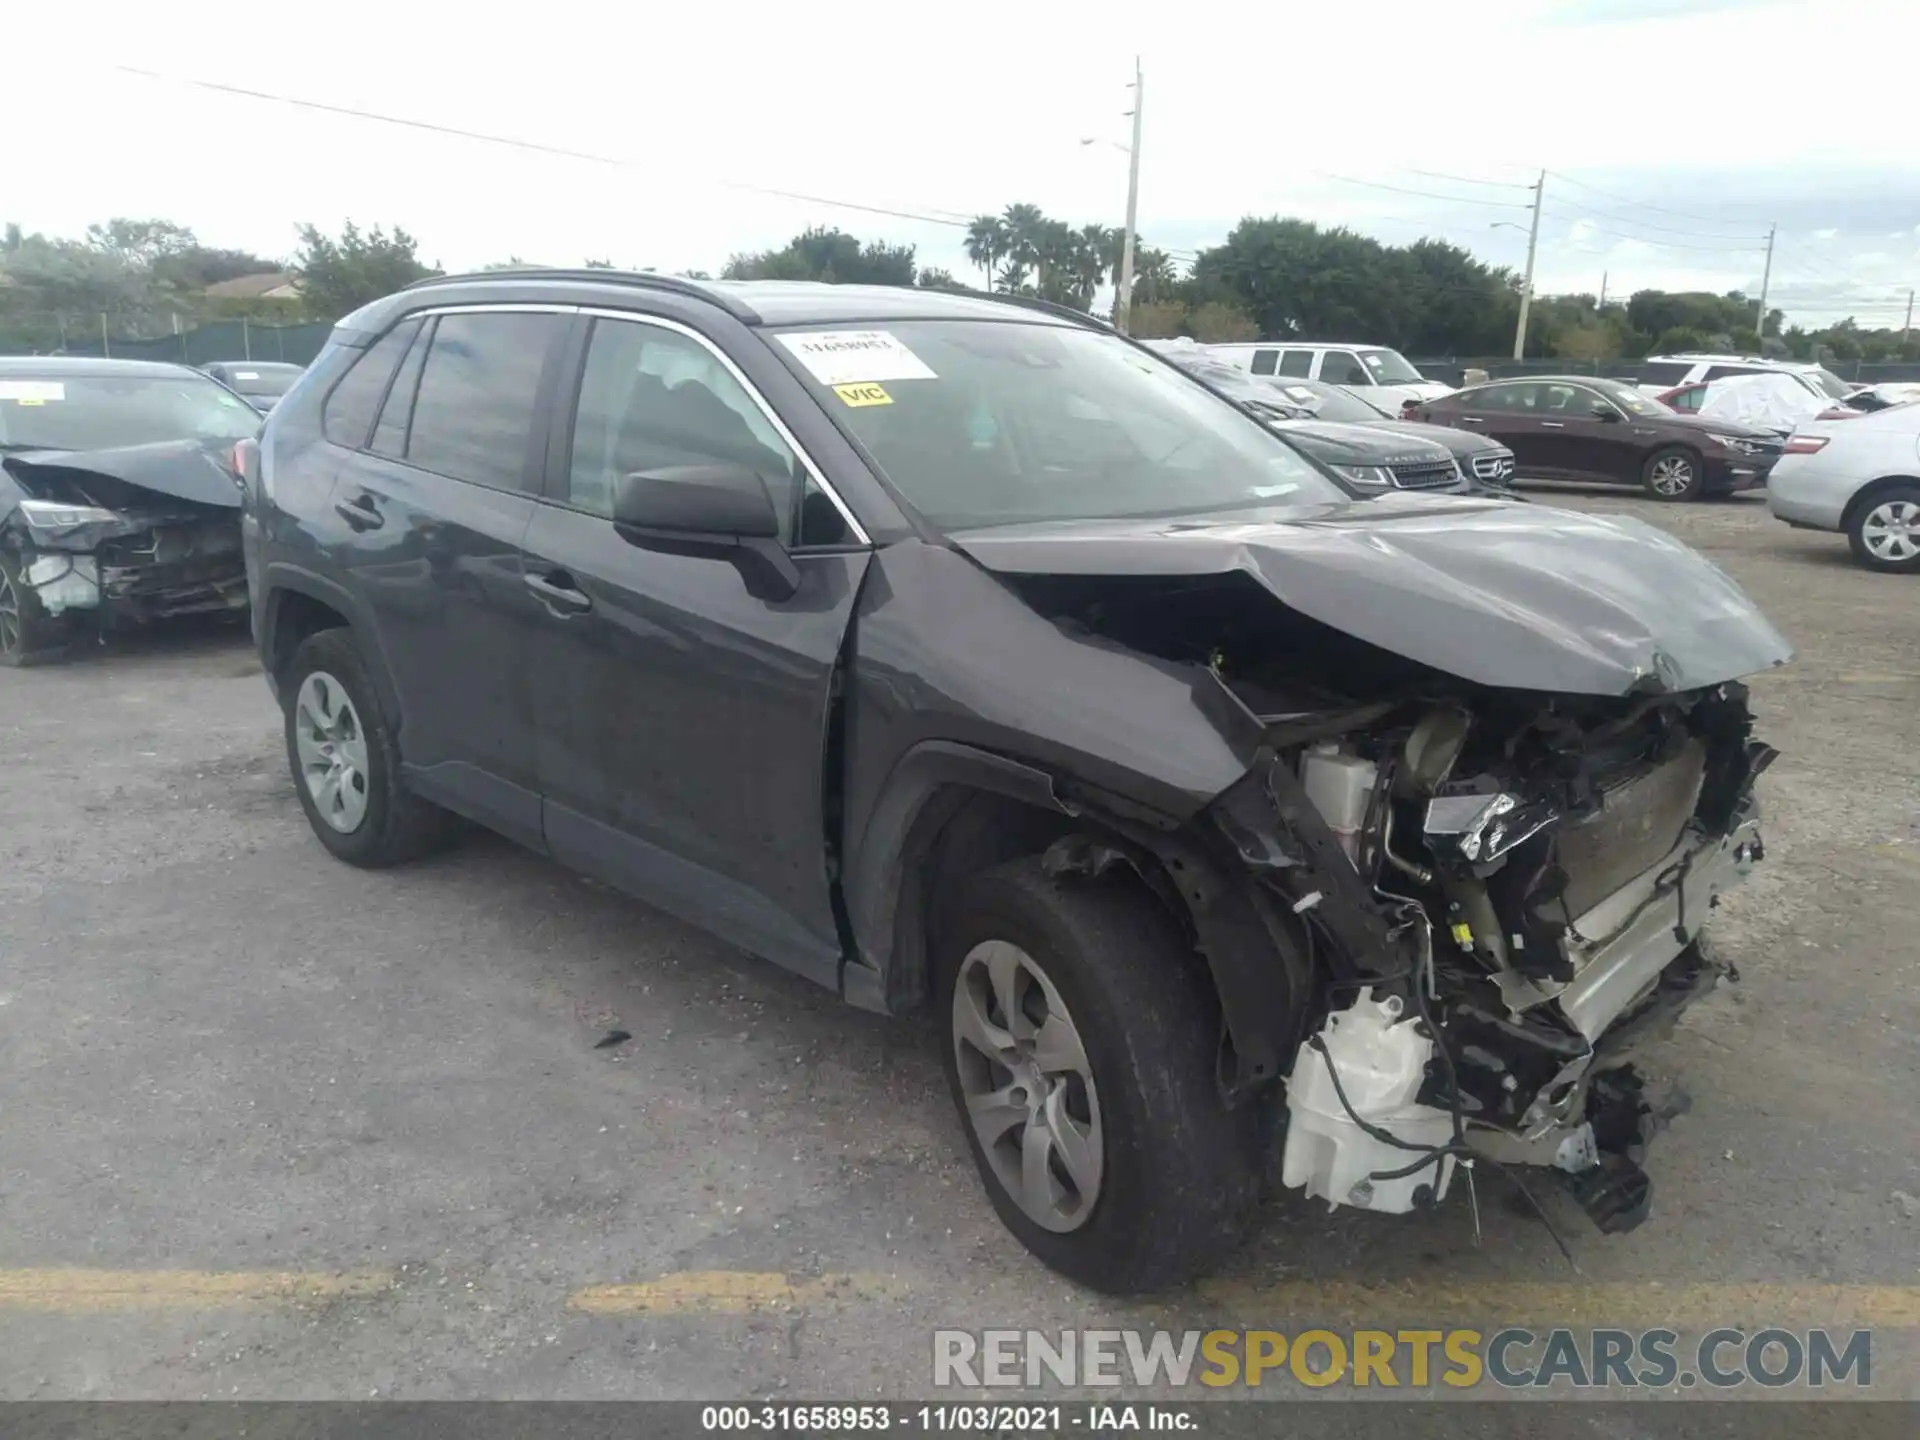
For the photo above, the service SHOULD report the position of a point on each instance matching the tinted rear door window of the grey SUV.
(473, 414)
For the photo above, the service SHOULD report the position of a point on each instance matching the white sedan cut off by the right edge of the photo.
(1860, 477)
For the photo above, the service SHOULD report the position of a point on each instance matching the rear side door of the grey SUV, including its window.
(435, 512)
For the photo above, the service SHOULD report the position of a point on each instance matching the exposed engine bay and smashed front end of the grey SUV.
(1485, 901)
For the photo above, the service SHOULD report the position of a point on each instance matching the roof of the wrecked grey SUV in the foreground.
(794, 302)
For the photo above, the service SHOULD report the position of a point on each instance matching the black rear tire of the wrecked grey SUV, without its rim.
(398, 825)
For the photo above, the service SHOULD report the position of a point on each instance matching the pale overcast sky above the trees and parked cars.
(1673, 132)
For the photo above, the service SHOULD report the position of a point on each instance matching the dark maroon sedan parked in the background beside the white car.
(1587, 429)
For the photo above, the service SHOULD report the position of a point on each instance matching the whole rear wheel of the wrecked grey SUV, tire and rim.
(347, 759)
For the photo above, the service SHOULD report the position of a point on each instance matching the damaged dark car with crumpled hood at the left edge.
(118, 498)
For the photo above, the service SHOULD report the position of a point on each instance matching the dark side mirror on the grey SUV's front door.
(709, 512)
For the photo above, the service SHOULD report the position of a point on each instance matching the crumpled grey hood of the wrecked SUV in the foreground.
(1508, 596)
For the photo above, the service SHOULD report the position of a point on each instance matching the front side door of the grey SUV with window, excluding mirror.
(684, 736)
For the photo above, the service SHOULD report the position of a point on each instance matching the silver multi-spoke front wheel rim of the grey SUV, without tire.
(1028, 1086)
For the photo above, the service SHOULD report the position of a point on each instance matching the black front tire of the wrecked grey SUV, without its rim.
(1182, 1172)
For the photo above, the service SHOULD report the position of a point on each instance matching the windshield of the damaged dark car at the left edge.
(105, 412)
